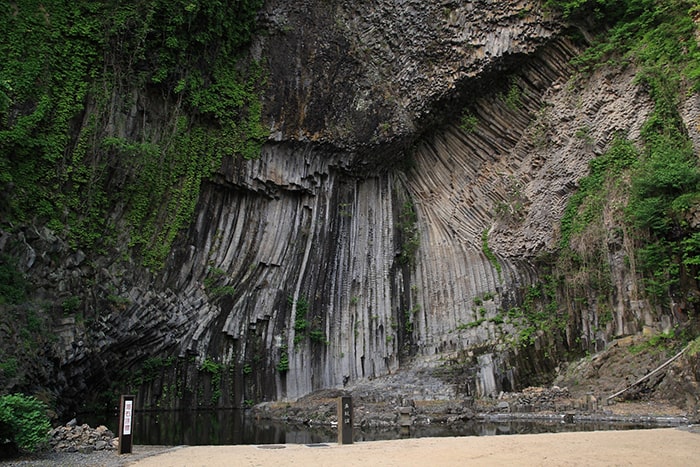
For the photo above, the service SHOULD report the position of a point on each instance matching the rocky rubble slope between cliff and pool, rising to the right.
(581, 391)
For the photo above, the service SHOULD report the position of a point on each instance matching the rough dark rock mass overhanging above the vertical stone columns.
(356, 74)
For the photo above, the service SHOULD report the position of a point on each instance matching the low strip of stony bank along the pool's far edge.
(534, 403)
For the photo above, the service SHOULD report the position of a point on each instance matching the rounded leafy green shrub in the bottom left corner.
(23, 421)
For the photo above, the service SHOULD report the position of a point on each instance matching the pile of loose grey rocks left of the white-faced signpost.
(81, 438)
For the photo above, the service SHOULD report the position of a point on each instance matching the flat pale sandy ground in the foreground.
(656, 447)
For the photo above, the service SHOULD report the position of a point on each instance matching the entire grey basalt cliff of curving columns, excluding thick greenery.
(403, 212)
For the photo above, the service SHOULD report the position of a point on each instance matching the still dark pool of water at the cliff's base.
(225, 427)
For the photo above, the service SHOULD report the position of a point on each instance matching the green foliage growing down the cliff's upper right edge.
(658, 37)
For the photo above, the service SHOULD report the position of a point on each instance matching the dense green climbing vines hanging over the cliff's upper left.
(65, 65)
